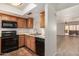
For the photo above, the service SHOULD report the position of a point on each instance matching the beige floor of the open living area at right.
(68, 46)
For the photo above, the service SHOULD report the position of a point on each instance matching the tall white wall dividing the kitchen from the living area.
(51, 41)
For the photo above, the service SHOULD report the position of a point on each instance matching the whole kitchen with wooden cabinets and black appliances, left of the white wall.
(22, 29)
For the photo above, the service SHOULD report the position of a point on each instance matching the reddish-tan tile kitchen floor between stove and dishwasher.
(20, 52)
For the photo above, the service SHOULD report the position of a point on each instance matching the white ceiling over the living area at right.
(68, 13)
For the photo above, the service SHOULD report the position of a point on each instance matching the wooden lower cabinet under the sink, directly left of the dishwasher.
(30, 42)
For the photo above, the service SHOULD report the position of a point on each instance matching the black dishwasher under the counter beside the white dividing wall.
(40, 46)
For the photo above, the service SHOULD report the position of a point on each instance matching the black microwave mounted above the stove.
(9, 24)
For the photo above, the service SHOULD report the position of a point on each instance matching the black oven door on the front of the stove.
(9, 44)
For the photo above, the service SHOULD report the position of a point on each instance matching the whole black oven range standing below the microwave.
(9, 41)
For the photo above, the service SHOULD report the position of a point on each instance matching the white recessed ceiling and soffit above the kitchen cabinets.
(20, 10)
